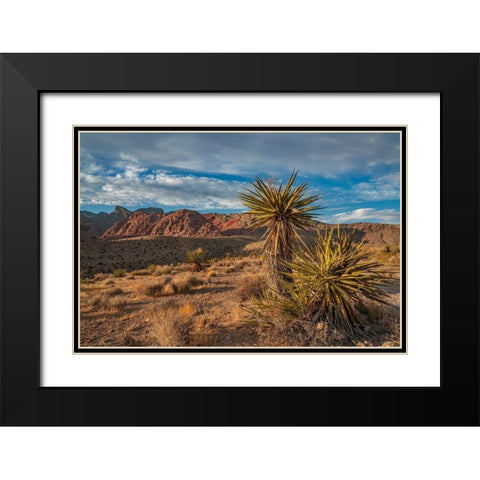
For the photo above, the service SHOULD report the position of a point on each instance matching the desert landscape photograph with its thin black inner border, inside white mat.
(218, 239)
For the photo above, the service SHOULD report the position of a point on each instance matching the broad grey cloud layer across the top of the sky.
(327, 154)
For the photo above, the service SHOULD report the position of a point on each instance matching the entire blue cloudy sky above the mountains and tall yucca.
(357, 174)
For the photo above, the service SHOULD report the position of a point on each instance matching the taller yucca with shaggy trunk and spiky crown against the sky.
(283, 210)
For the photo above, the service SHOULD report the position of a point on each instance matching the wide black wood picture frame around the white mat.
(23, 77)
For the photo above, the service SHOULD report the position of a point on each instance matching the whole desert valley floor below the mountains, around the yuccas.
(140, 292)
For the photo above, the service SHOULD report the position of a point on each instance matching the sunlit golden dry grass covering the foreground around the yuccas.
(173, 307)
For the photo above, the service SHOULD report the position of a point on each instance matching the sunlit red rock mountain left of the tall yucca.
(181, 223)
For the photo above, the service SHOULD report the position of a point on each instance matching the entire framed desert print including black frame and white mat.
(237, 231)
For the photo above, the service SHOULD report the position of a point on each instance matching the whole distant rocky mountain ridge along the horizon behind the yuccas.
(123, 223)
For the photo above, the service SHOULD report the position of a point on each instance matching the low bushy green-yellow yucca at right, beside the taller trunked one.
(332, 281)
